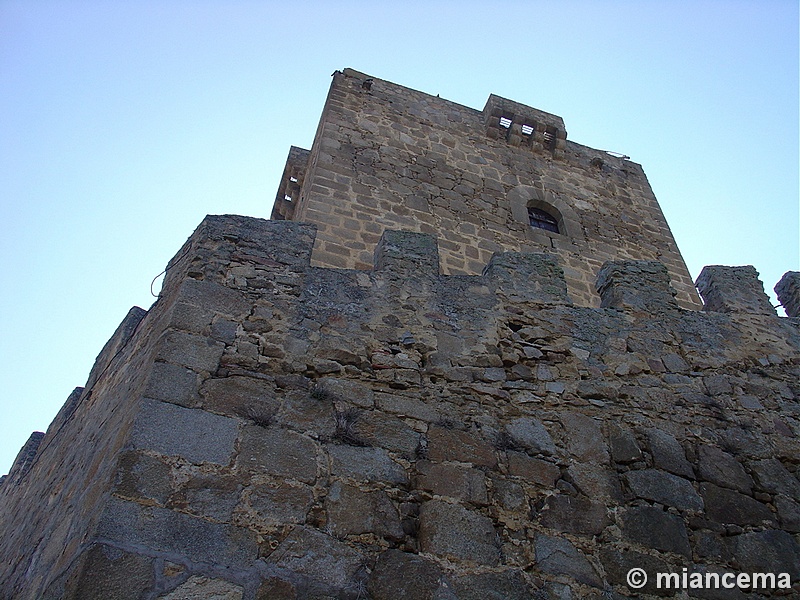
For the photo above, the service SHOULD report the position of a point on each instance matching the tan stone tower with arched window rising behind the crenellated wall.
(388, 157)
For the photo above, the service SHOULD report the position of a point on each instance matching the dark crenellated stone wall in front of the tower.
(273, 426)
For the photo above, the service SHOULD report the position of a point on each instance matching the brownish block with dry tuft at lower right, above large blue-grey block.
(246, 397)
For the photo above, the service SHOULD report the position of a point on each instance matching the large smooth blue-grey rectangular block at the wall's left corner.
(193, 434)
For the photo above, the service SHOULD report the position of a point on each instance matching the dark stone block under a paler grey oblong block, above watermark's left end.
(655, 528)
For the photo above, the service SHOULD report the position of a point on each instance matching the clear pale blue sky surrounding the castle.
(122, 124)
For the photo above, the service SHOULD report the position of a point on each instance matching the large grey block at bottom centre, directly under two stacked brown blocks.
(451, 531)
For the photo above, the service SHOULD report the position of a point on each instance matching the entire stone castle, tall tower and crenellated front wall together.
(464, 360)
